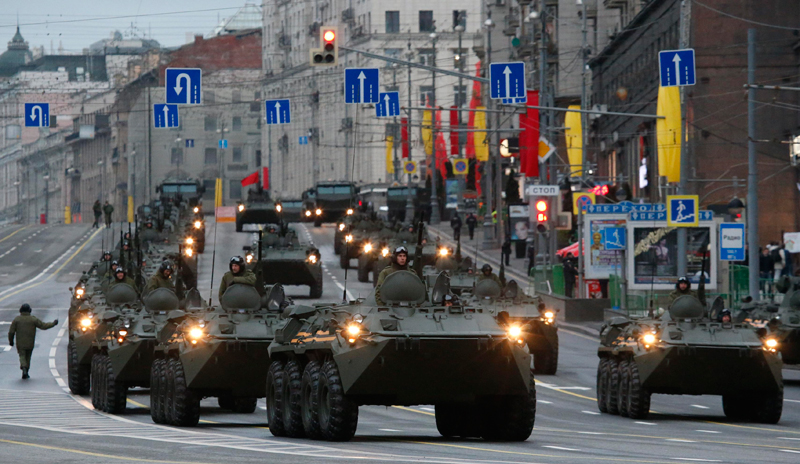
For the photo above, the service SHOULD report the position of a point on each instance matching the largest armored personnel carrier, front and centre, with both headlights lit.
(329, 360)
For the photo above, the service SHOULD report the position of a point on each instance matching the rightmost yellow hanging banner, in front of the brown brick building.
(668, 133)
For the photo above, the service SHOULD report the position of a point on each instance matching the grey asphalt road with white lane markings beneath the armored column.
(41, 422)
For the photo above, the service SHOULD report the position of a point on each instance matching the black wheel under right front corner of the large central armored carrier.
(514, 417)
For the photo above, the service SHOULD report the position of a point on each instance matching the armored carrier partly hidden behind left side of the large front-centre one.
(222, 354)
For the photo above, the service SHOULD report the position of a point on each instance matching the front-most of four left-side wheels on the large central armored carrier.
(338, 416)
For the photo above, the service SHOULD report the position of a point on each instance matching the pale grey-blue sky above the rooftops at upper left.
(76, 24)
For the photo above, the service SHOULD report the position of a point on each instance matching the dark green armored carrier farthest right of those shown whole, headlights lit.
(684, 352)
